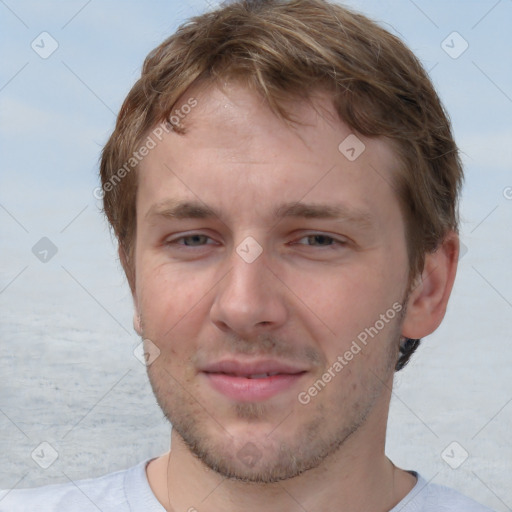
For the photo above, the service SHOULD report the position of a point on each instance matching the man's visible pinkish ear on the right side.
(428, 297)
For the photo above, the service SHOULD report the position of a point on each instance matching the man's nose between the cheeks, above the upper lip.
(250, 299)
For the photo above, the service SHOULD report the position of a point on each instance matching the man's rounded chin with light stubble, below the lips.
(259, 455)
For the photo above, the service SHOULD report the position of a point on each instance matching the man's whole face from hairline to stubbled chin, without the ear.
(270, 272)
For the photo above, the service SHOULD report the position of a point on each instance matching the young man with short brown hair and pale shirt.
(283, 184)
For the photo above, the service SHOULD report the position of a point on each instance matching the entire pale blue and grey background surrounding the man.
(68, 373)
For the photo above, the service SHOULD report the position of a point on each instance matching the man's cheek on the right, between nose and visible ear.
(342, 313)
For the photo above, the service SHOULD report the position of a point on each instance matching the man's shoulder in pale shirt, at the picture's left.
(105, 493)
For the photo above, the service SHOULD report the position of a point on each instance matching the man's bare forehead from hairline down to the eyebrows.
(237, 153)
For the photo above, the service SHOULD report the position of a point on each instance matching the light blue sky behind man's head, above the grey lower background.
(56, 113)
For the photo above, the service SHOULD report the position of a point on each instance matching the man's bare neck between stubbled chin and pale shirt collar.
(357, 477)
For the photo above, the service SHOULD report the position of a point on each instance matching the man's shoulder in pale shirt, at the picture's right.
(427, 497)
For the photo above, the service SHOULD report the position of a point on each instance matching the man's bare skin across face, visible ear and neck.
(303, 300)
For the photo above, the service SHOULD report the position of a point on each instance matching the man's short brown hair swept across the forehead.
(288, 50)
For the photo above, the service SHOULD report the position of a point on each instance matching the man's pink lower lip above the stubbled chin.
(252, 390)
